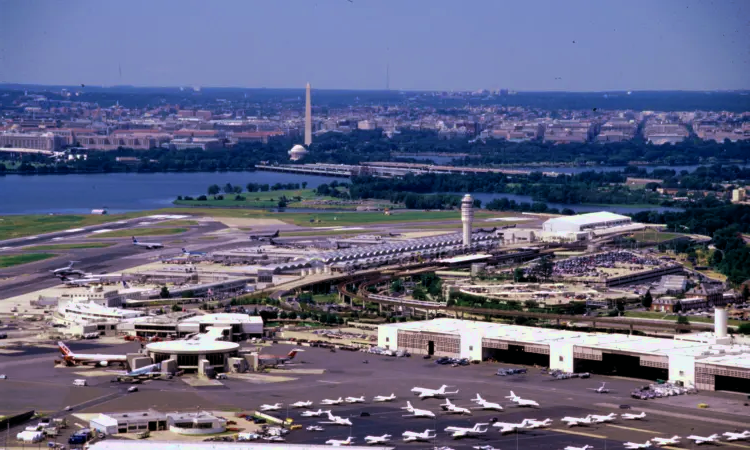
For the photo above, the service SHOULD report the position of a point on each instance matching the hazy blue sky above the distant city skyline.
(524, 45)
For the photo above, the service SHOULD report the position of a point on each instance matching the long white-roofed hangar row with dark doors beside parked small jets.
(708, 361)
